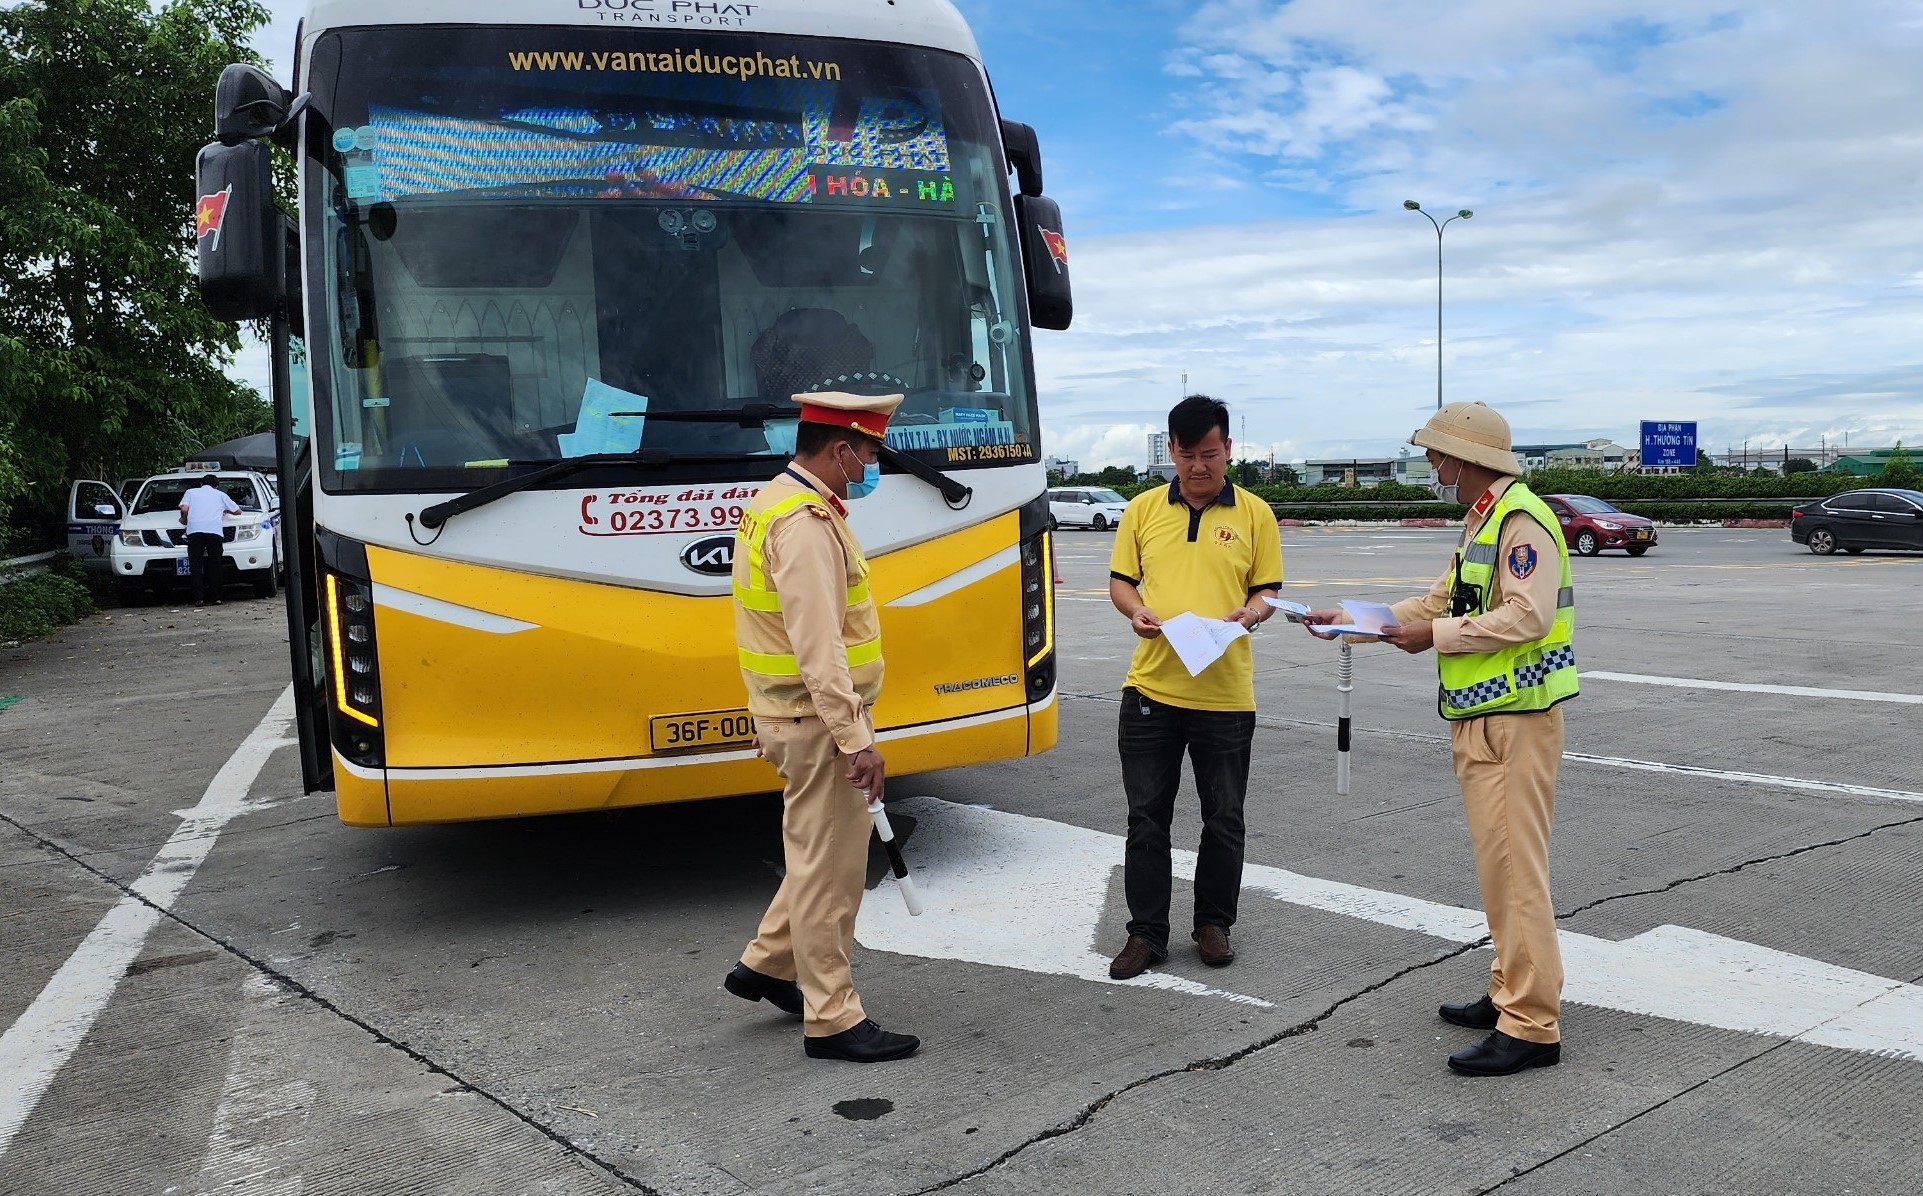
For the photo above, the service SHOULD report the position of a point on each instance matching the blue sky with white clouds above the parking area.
(1684, 211)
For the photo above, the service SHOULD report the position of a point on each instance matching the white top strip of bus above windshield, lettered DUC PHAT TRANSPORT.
(909, 22)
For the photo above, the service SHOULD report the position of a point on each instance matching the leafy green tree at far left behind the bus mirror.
(109, 361)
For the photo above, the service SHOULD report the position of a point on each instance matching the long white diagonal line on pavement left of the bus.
(51, 1030)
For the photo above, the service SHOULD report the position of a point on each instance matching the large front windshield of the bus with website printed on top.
(549, 243)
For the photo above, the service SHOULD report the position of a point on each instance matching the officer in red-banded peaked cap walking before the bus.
(811, 653)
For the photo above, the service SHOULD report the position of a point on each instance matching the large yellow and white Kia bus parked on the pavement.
(559, 270)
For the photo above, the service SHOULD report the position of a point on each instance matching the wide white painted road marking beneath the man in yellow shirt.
(1026, 893)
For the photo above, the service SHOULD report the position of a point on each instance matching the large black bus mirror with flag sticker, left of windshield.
(241, 234)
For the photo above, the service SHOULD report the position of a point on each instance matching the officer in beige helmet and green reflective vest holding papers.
(1503, 622)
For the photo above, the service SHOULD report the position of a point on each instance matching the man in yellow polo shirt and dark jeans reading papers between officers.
(1199, 545)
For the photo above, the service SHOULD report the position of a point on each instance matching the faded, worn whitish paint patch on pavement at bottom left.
(262, 1114)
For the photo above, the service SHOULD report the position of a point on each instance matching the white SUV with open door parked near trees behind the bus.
(149, 543)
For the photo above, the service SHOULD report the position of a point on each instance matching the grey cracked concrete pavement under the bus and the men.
(536, 1007)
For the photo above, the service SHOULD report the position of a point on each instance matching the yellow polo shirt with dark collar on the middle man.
(1197, 561)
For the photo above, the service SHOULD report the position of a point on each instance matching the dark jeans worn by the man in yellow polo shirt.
(1153, 739)
